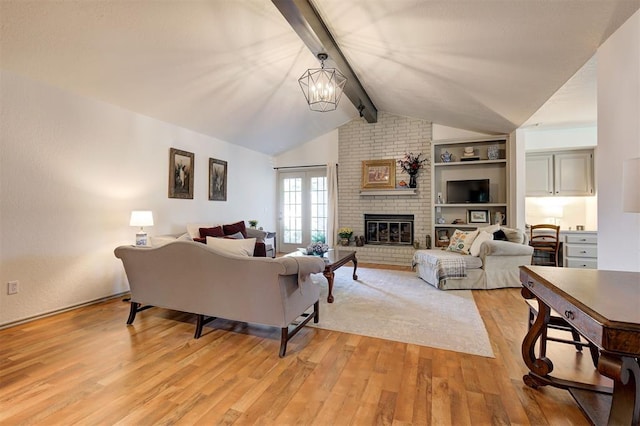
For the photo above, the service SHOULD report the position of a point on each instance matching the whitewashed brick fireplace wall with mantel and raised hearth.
(390, 137)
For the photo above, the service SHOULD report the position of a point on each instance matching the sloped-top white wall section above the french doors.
(320, 151)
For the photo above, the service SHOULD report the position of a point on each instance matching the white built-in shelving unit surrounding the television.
(480, 165)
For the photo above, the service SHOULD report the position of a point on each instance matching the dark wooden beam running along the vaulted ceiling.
(306, 22)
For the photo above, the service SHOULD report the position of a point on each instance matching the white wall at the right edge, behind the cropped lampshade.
(619, 139)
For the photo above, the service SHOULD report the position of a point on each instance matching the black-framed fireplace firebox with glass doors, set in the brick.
(388, 229)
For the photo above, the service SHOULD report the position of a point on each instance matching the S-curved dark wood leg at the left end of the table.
(539, 367)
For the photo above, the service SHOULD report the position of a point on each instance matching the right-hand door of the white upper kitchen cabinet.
(573, 174)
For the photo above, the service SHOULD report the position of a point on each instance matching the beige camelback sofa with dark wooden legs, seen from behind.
(193, 277)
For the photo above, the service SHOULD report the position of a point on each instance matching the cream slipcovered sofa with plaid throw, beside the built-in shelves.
(495, 266)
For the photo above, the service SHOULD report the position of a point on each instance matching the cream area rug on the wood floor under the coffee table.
(399, 306)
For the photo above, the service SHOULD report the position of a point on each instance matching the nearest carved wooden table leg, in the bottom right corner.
(625, 372)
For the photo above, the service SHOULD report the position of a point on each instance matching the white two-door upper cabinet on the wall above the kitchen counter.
(562, 174)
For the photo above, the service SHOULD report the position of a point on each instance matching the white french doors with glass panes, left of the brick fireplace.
(303, 209)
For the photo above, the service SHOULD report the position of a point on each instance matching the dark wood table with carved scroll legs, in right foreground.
(604, 306)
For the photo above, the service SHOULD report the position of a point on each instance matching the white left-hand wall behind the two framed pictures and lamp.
(72, 169)
